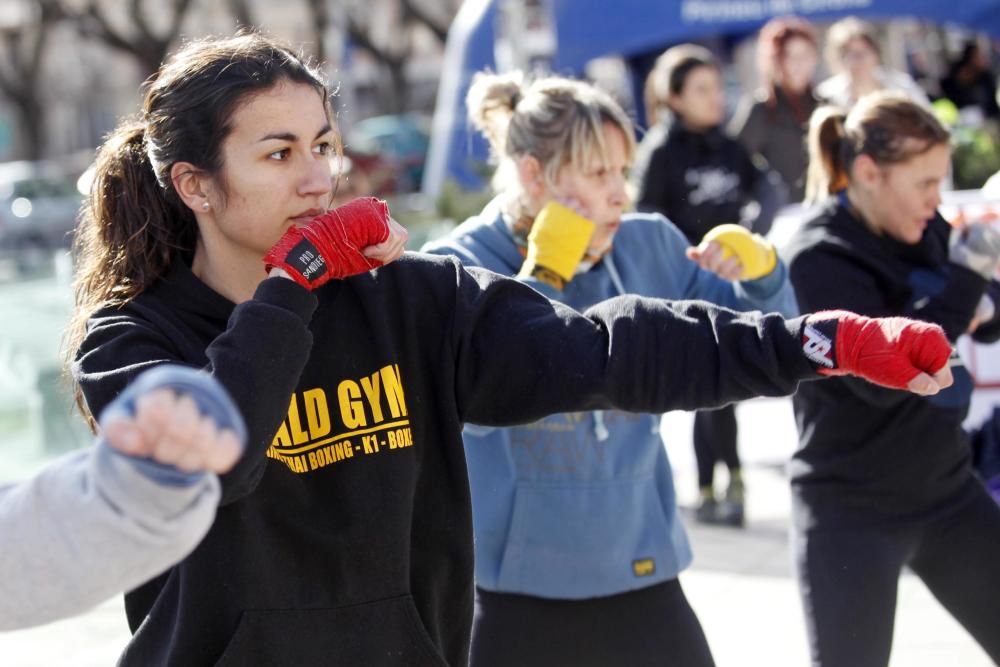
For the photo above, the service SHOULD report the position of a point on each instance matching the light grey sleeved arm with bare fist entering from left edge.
(106, 519)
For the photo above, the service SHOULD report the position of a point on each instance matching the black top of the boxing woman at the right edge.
(864, 449)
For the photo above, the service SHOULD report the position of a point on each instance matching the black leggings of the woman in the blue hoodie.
(647, 627)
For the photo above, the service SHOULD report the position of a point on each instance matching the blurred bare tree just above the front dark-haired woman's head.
(139, 39)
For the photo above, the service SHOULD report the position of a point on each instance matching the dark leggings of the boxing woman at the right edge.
(848, 580)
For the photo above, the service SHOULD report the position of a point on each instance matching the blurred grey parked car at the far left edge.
(39, 204)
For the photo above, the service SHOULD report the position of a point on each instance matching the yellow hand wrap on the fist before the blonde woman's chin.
(557, 242)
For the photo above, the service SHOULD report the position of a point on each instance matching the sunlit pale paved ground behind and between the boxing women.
(740, 585)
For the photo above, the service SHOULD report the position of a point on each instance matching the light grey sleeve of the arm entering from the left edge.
(89, 526)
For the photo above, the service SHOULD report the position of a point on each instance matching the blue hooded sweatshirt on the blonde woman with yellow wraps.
(582, 504)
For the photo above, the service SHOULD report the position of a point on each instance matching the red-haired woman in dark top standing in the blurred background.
(772, 121)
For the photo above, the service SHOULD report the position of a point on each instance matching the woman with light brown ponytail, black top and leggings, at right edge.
(882, 480)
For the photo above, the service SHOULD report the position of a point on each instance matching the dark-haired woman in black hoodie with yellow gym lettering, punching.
(344, 534)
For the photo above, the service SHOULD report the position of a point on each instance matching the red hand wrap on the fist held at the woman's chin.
(330, 245)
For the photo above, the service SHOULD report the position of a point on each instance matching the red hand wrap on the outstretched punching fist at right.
(888, 351)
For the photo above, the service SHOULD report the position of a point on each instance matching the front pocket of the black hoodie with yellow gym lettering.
(386, 632)
